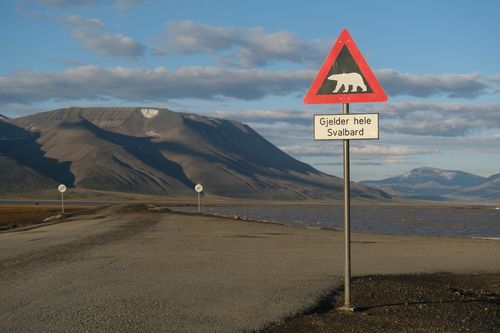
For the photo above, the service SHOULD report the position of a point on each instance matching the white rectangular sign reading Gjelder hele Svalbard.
(360, 126)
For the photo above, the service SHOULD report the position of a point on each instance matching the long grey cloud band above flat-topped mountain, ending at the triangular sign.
(158, 84)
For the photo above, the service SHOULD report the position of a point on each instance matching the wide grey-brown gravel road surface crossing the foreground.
(125, 268)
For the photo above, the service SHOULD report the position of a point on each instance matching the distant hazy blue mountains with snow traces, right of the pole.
(441, 185)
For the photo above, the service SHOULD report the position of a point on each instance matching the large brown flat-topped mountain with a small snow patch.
(157, 151)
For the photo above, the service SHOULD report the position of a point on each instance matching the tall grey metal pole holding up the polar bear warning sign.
(347, 222)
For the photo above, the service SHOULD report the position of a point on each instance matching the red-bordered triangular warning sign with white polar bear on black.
(345, 77)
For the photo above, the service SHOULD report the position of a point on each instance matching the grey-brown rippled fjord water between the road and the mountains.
(441, 221)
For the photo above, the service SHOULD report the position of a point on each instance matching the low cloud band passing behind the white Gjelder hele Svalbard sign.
(413, 118)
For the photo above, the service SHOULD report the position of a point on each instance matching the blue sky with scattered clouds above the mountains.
(253, 61)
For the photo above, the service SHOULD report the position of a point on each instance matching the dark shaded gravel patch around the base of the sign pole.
(407, 303)
